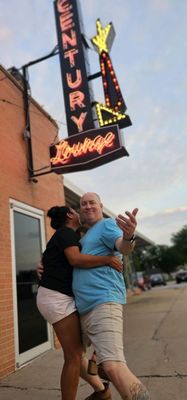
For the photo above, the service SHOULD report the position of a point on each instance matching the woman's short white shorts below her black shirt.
(54, 305)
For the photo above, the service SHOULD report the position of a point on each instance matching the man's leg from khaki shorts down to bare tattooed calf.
(105, 327)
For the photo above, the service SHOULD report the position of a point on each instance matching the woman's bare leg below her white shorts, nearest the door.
(68, 333)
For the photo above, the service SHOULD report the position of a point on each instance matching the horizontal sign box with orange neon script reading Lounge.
(87, 150)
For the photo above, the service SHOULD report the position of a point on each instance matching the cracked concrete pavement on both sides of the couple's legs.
(155, 347)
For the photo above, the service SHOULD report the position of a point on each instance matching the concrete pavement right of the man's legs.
(156, 340)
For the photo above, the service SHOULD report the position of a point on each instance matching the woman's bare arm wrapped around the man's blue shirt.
(79, 260)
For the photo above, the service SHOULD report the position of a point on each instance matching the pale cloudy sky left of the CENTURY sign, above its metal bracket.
(33, 41)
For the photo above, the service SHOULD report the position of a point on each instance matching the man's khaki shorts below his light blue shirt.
(103, 328)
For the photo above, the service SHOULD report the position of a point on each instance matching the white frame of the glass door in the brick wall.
(28, 355)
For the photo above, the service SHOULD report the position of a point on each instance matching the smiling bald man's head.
(91, 208)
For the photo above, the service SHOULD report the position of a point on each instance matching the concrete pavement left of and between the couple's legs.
(39, 380)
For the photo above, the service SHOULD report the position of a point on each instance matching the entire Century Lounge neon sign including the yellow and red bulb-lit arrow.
(86, 147)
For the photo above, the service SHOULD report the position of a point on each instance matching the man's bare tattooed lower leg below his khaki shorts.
(126, 383)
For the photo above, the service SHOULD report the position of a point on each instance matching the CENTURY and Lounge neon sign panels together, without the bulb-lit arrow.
(86, 146)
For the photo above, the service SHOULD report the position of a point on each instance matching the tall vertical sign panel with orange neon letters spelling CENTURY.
(73, 69)
